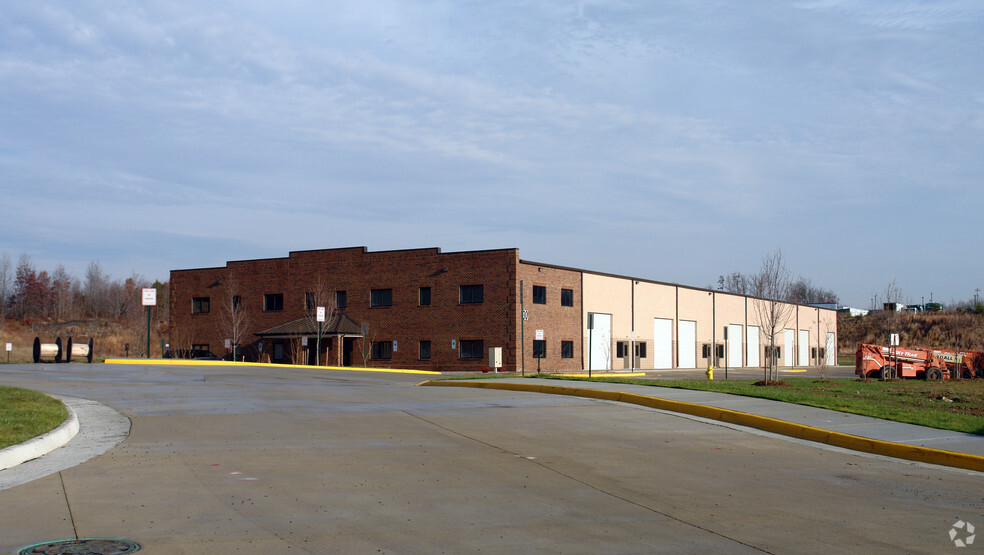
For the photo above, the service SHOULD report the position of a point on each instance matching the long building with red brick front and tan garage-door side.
(426, 309)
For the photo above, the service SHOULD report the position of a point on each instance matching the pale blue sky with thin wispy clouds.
(673, 140)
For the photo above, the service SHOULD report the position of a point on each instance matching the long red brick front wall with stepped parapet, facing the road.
(357, 271)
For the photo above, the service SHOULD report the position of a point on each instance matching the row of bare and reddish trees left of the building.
(27, 294)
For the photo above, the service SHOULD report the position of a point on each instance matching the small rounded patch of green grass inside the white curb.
(25, 414)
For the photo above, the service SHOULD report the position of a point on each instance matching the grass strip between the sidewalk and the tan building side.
(956, 405)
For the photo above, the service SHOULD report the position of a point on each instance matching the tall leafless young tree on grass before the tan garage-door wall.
(771, 284)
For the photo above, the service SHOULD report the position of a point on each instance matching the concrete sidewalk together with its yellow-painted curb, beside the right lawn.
(850, 431)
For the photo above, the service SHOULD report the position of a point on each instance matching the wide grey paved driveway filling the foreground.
(260, 460)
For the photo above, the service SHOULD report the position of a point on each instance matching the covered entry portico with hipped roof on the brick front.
(297, 341)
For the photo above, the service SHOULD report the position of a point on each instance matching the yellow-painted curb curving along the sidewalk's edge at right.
(799, 431)
